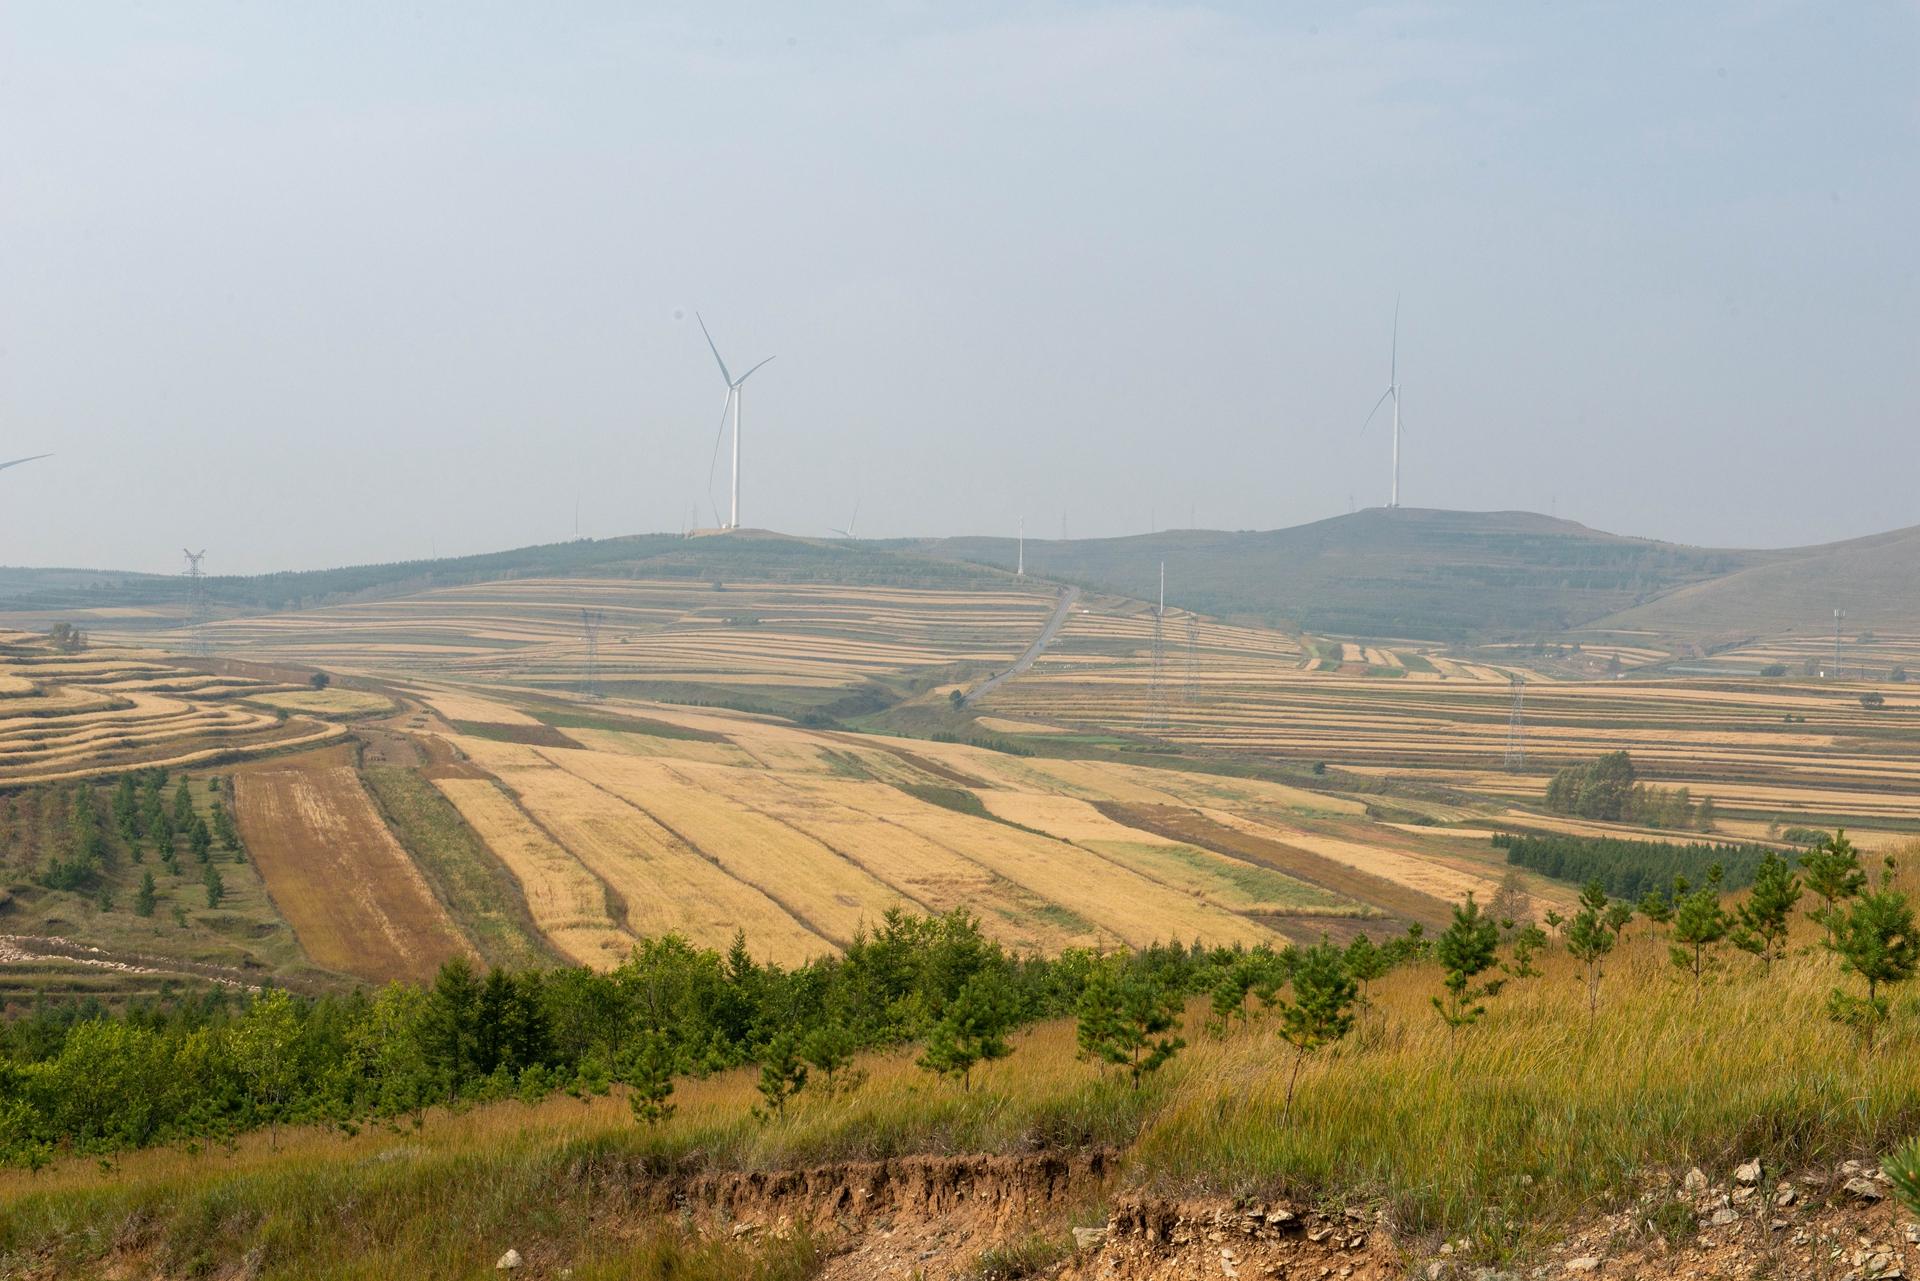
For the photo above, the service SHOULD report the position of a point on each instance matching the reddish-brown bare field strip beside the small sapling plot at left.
(354, 898)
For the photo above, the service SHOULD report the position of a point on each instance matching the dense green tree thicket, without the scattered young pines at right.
(87, 1080)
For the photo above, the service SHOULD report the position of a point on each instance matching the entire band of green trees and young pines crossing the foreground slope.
(85, 1080)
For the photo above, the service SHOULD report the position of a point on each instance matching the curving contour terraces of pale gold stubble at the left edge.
(105, 710)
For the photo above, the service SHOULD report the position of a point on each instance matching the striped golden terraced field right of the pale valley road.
(1762, 746)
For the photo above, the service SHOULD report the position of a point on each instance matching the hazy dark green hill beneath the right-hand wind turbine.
(1408, 573)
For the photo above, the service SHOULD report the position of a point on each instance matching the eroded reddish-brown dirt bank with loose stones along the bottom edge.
(953, 1219)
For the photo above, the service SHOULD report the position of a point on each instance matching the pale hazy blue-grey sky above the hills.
(333, 283)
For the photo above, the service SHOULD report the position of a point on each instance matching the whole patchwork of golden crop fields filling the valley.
(667, 804)
